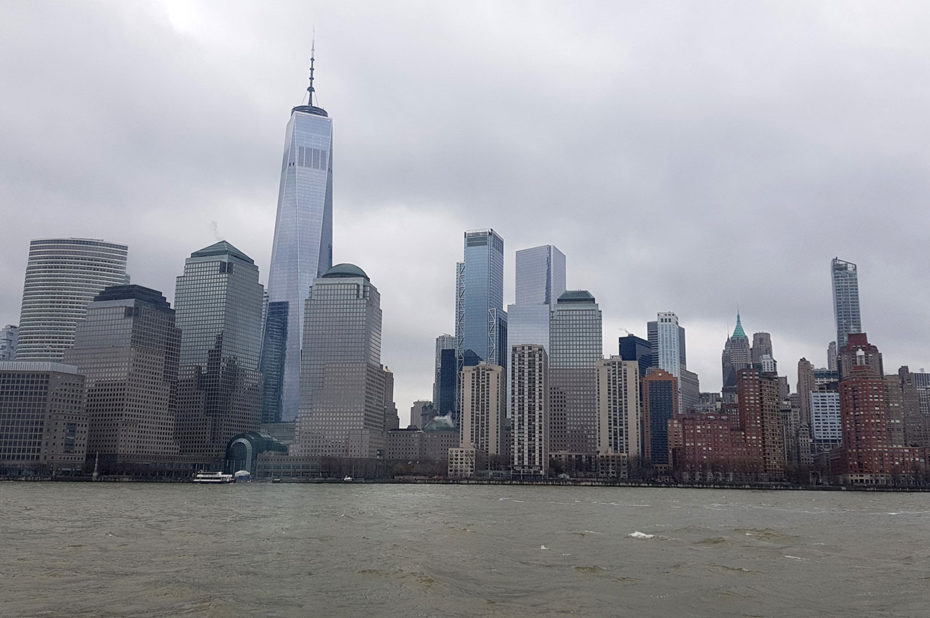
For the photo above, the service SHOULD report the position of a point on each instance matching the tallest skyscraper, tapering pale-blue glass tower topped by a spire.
(303, 235)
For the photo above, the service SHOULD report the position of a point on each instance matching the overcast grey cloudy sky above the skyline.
(697, 157)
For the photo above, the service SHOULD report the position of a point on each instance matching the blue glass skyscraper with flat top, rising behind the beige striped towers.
(481, 324)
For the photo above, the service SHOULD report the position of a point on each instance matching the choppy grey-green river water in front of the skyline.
(262, 549)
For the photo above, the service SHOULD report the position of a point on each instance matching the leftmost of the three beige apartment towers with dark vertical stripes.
(482, 420)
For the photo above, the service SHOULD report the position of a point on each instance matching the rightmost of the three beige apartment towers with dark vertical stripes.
(619, 413)
